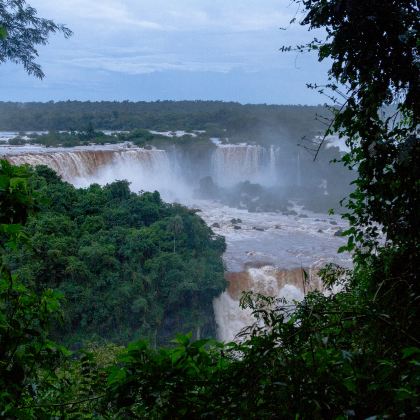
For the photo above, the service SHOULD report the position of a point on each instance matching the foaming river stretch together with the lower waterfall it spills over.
(285, 242)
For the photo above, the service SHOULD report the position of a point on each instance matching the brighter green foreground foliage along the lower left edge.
(25, 316)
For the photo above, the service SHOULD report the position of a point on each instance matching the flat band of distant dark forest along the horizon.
(216, 117)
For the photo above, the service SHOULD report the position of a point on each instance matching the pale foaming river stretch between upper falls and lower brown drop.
(284, 241)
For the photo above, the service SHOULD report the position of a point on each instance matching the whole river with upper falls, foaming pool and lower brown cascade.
(267, 249)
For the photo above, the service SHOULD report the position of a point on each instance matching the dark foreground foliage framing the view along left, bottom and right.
(350, 354)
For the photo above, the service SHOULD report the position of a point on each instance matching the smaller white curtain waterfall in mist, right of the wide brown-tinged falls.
(233, 163)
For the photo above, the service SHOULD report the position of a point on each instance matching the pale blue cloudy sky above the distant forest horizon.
(170, 50)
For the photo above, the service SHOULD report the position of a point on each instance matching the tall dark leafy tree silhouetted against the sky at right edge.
(375, 74)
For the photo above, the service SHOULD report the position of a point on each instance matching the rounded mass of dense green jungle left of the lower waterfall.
(128, 265)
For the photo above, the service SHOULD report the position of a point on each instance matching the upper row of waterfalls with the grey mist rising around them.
(271, 176)
